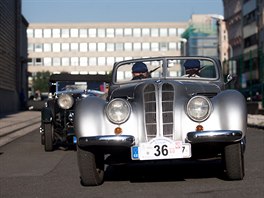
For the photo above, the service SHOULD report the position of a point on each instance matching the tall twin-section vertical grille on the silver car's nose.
(158, 105)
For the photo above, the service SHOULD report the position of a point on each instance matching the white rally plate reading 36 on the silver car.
(161, 148)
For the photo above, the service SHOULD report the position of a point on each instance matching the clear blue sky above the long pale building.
(65, 11)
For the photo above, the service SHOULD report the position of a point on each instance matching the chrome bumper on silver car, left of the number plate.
(107, 140)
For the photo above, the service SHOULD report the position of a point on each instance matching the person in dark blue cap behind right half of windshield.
(192, 68)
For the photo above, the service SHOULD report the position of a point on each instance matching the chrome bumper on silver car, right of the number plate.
(214, 136)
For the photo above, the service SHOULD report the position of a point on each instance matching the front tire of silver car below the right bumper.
(234, 161)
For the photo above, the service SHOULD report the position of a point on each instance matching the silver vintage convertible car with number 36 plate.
(162, 108)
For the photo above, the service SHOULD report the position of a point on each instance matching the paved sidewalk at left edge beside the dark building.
(13, 126)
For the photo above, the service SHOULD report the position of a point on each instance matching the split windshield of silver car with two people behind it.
(170, 68)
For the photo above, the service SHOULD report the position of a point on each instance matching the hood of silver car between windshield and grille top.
(181, 87)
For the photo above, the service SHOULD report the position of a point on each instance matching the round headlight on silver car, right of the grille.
(199, 108)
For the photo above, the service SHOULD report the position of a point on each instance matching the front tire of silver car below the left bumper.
(91, 167)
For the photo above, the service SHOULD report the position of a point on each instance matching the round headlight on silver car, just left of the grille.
(118, 111)
